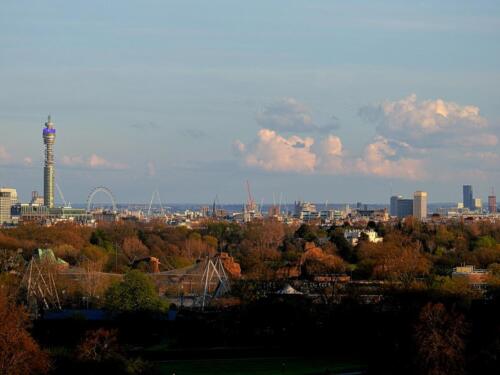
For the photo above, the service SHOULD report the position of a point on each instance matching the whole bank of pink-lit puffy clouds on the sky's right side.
(414, 140)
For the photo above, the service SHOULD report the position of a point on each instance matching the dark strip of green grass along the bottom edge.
(258, 366)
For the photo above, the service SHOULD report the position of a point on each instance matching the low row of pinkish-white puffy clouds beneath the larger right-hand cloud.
(381, 158)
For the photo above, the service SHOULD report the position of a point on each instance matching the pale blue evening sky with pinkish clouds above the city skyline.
(342, 101)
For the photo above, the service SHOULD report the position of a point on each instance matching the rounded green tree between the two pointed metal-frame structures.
(136, 293)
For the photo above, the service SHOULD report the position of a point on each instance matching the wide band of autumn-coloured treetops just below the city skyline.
(410, 249)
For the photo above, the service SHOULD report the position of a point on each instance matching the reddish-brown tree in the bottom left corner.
(19, 353)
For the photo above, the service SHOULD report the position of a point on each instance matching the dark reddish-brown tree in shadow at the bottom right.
(440, 340)
